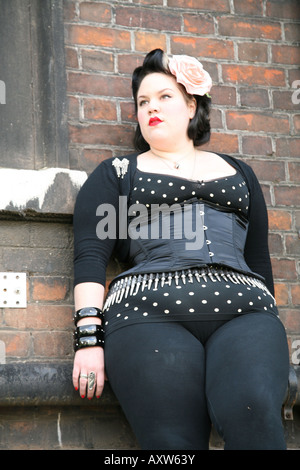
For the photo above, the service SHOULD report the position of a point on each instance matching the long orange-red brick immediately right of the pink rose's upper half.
(252, 75)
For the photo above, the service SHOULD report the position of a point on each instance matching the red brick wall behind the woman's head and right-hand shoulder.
(250, 48)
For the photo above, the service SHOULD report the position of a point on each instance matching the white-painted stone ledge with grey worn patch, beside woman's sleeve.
(47, 191)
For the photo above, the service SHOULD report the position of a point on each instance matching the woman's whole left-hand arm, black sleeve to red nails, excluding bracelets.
(91, 256)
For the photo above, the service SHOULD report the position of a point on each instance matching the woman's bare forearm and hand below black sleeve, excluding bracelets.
(89, 294)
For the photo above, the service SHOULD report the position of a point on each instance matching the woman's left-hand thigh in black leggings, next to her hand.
(157, 372)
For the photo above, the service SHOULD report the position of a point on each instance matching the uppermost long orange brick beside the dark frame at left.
(97, 36)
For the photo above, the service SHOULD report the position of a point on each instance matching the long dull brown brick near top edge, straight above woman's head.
(135, 17)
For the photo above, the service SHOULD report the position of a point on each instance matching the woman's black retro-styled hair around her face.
(199, 125)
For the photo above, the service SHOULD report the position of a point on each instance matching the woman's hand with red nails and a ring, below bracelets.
(89, 360)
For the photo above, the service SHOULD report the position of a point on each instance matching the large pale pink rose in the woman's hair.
(190, 73)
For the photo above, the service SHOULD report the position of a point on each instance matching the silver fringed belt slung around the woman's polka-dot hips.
(131, 285)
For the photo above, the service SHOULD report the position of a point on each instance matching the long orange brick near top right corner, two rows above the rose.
(231, 26)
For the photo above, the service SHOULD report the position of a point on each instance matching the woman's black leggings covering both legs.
(173, 382)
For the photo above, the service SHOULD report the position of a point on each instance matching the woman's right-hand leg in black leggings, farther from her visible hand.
(247, 375)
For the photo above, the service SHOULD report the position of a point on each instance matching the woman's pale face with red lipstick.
(163, 111)
